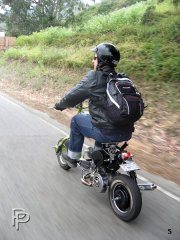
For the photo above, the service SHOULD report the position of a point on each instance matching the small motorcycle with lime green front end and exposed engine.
(111, 168)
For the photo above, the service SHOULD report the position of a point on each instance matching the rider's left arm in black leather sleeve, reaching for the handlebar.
(79, 93)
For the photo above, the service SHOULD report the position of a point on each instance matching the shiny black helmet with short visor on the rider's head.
(107, 54)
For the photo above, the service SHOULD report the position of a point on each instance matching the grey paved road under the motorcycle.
(60, 207)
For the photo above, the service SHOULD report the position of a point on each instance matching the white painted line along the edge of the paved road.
(140, 177)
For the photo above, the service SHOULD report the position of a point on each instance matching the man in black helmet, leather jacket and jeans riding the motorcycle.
(93, 87)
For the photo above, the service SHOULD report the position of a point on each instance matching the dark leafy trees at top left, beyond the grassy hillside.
(27, 16)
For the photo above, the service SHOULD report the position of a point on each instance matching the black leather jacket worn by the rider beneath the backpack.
(92, 87)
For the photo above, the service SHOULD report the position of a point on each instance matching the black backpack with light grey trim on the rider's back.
(124, 104)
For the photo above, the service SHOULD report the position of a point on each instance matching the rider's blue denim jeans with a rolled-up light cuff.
(81, 127)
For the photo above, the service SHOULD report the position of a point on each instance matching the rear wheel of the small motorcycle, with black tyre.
(125, 197)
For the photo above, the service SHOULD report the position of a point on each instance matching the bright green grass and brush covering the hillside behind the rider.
(146, 33)
